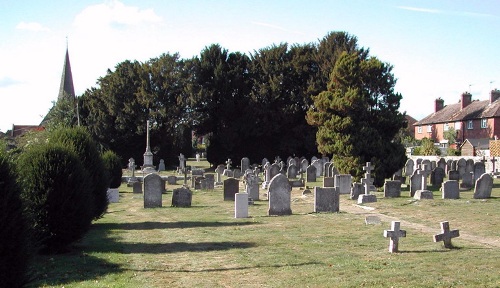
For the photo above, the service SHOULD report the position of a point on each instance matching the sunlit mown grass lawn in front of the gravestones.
(205, 246)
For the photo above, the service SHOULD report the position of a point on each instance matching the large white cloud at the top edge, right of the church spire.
(112, 14)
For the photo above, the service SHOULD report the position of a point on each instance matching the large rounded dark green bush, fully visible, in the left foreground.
(55, 193)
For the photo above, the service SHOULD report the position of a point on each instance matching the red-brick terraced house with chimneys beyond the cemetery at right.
(470, 119)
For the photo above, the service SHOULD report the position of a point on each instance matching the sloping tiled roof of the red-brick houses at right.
(454, 113)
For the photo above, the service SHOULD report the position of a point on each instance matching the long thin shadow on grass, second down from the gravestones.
(175, 247)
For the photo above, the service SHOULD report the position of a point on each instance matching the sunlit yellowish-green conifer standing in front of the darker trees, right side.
(358, 118)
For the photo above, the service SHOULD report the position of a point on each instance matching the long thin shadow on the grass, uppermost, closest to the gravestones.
(167, 225)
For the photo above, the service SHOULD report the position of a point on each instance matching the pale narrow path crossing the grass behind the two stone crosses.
(368, 211)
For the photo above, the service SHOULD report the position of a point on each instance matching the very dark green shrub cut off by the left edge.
(14, 239)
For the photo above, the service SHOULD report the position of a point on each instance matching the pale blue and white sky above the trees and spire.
(437, 48)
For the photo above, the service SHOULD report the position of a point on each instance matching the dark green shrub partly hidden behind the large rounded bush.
(80, 140)
